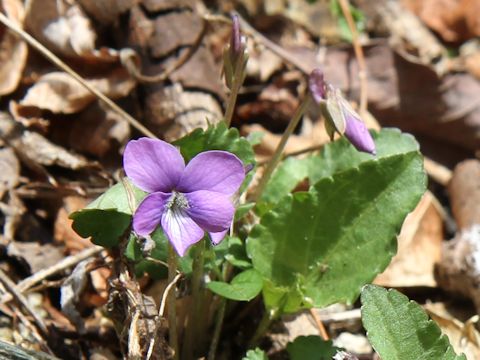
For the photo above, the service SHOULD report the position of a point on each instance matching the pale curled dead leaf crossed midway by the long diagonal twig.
(58, 92)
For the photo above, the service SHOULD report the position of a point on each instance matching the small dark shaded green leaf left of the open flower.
(105, 227)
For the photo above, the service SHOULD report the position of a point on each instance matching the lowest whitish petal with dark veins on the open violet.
(181, 230)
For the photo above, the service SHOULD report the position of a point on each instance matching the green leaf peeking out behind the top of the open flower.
(216, 137)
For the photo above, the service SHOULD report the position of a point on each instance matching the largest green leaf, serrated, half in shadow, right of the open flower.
(327, 243)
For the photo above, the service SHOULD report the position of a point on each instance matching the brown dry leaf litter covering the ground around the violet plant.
(61, 145)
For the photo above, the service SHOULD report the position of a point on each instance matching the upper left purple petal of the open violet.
(153, 165)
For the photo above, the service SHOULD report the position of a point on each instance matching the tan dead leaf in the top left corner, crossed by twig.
(13, 50)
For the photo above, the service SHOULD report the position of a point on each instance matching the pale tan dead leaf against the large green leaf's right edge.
(419, 248)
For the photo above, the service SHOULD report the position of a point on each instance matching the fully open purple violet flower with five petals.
(185, 200)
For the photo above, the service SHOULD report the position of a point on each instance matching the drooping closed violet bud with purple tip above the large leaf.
(339, 115)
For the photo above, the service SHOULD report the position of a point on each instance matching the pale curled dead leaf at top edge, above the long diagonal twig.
(60, 25)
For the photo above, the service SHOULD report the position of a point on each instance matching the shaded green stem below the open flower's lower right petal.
(193, 325)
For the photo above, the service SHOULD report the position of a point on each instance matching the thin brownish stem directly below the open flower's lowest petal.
(171, 301)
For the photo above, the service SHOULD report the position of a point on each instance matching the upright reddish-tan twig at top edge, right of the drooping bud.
(357, 47)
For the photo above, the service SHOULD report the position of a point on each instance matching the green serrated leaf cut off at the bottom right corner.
(399, 329)
